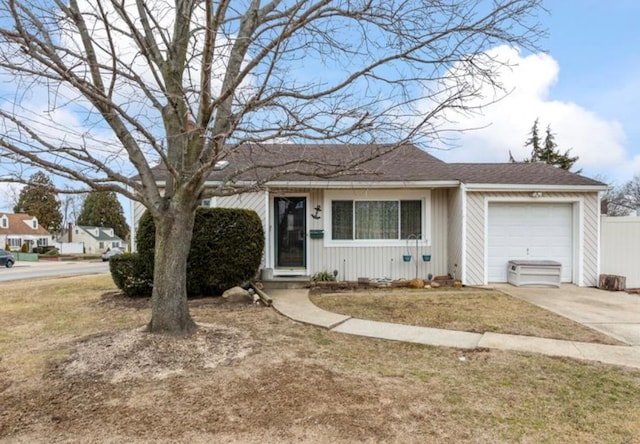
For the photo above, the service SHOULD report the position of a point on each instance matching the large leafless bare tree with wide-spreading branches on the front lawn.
(105, 89)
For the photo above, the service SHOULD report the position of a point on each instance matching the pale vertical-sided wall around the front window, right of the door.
(377, 262)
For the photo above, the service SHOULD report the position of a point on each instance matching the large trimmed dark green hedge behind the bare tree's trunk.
(226, 250)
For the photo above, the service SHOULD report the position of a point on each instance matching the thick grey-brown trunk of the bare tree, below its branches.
(170, 311)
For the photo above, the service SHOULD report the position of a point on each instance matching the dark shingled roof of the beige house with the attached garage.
(311, 162)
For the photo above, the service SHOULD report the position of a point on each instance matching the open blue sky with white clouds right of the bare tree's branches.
(585, 86)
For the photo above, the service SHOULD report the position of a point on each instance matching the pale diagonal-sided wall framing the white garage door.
(586, 209)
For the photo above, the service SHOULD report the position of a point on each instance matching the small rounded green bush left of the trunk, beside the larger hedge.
(131, 275)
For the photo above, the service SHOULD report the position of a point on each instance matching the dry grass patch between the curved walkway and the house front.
(473, 310)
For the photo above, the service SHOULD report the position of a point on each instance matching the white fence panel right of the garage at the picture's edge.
(620, 248)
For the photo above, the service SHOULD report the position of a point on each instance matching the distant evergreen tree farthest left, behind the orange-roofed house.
(39, 200)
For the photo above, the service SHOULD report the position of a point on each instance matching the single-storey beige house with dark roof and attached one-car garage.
(471, 218)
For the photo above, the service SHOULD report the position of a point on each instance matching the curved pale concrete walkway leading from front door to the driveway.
(295, 304)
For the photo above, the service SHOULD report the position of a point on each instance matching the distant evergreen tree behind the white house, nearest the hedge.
(103, 209)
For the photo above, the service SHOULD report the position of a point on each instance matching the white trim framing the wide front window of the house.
(377, 195)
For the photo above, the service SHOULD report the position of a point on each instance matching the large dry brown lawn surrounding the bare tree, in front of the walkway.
(296, 384)
